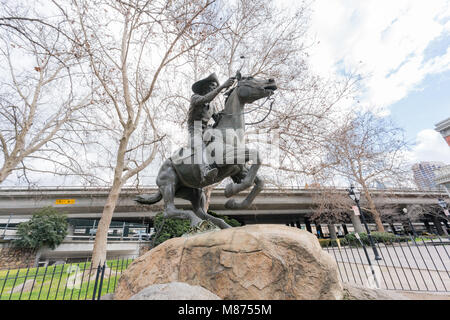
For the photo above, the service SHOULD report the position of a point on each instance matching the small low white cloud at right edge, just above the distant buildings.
(430, 146)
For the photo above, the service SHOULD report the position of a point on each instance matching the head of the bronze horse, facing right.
(250, 89)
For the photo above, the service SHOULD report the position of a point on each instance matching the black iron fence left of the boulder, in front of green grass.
(74, 281)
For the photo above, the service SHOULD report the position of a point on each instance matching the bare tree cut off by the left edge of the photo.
(38, 101)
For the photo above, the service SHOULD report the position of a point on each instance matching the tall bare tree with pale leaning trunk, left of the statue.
(132, 46)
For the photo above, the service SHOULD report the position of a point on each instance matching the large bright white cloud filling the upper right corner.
(384, 40)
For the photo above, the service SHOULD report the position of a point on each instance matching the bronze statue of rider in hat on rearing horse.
(188, 171)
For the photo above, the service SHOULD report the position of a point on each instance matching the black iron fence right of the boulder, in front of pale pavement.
(405, 263)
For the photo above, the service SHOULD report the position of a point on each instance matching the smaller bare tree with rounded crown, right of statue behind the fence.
(366, 149)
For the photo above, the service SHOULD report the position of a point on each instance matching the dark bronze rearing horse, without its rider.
(180, 179)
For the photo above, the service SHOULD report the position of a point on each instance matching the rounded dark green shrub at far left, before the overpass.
(46, 228)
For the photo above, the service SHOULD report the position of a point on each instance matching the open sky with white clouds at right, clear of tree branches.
(401, 48)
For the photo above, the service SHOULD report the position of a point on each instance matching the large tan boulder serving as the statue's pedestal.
(252, 262)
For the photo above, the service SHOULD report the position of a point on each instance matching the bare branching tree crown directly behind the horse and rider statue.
(274, 43)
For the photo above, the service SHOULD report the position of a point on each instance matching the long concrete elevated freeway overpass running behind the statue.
(271, 206)
